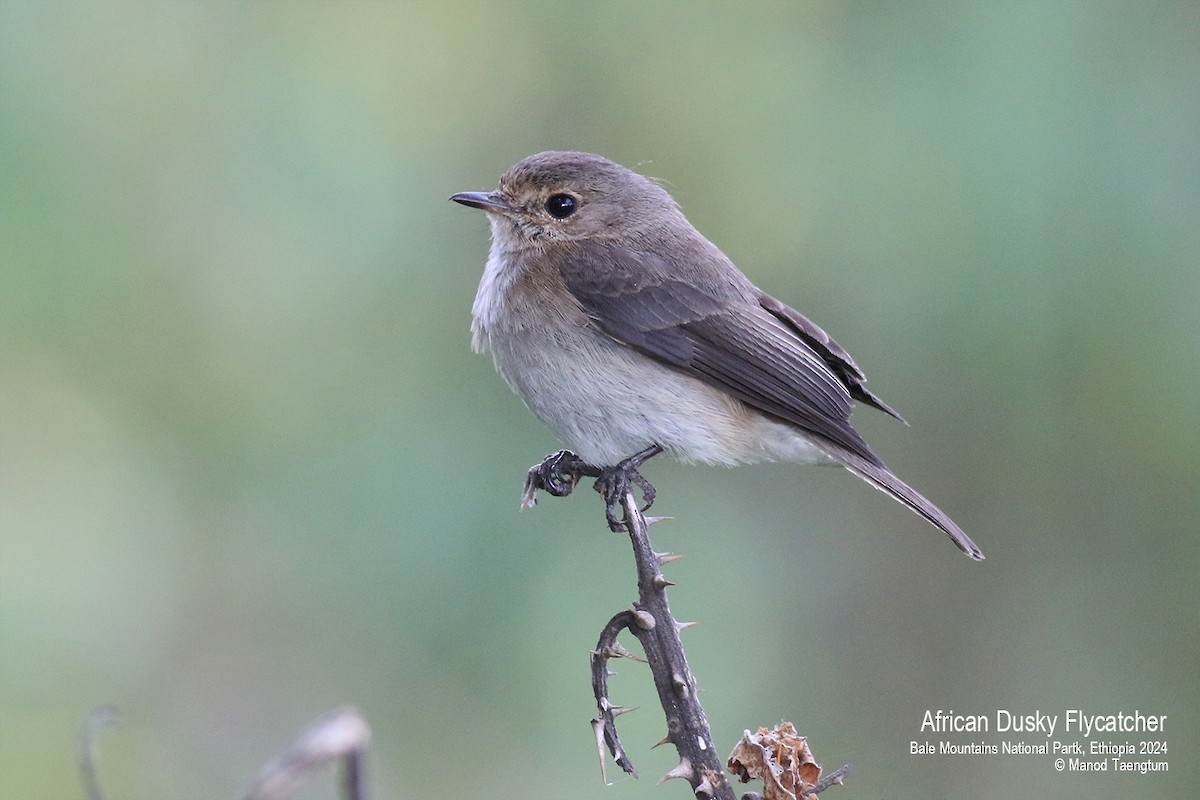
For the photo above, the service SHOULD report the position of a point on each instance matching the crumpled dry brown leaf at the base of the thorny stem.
(781, 757)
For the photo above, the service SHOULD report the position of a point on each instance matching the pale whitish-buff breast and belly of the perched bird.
(603, 399)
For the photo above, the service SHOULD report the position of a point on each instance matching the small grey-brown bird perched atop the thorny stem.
(629, 334)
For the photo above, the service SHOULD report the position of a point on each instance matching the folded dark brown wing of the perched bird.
(724, 335)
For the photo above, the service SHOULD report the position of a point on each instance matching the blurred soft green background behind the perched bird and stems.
(251, 470)
